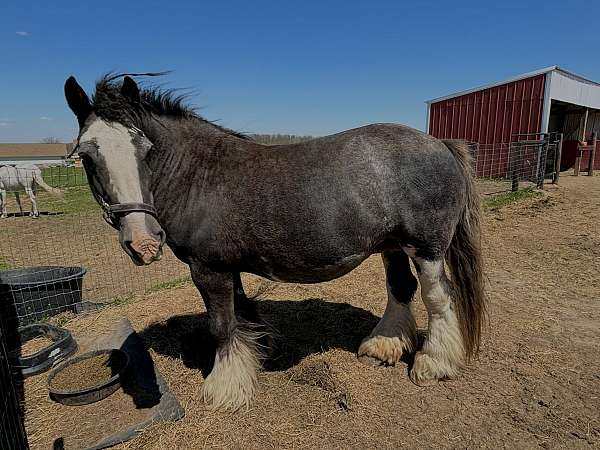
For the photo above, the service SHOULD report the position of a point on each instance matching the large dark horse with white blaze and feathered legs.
(303, 213)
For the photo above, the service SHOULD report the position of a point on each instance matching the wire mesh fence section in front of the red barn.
(524, 163)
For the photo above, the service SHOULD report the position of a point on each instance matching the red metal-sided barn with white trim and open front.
(550, 100)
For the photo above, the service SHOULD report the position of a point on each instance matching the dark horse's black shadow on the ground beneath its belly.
(299, 328)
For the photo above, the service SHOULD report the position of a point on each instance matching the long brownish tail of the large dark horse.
(465, 260)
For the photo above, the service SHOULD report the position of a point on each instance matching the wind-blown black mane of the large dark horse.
(109, 104)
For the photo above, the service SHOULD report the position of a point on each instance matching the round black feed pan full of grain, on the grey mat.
(88, 378)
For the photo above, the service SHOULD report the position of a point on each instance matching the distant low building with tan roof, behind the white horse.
(39, 154)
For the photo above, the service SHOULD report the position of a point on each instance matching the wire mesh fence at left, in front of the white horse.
(60, 255)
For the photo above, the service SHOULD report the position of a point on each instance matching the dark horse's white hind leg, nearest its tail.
(442, 354)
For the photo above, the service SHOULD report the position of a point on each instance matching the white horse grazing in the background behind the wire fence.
(22, 177)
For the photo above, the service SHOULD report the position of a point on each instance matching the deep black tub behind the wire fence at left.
(35, 293)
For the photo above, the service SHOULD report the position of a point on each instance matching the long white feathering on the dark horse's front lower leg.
(233, 380)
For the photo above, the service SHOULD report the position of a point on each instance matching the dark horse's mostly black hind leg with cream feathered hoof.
(396, 332)
